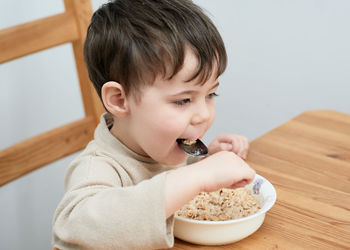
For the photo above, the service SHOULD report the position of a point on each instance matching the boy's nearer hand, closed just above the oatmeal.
(224, 170)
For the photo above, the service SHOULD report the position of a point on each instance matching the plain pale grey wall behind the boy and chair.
(285, 57)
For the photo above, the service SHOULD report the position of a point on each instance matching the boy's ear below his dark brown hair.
(114, 99)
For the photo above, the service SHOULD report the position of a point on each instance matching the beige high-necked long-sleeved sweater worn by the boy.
(114, 199)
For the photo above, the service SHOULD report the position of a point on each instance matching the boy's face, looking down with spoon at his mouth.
(171, 109)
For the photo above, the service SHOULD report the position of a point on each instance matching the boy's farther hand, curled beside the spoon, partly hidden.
(229, 142)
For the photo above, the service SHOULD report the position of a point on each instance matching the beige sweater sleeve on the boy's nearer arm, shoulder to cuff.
(97, 212)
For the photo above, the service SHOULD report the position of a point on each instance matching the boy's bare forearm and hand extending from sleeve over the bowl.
(222, 169)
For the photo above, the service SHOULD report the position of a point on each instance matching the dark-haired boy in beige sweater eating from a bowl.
(155, 65)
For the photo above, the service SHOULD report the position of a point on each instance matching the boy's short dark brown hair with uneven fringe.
(129, 41)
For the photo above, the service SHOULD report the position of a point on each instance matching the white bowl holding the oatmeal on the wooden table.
(225, 232)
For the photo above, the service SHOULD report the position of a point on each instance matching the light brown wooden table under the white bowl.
(307, 160)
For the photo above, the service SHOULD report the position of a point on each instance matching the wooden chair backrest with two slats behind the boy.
(67, 27)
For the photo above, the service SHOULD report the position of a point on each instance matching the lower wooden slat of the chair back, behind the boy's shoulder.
(47, 147)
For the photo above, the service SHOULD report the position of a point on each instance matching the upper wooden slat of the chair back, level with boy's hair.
(44, 33)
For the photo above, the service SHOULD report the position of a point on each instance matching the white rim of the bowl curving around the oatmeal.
(270, 202)
